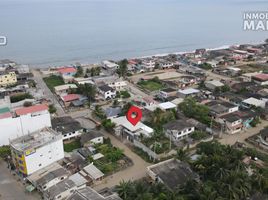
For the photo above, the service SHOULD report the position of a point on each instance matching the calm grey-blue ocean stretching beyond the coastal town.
(45, 33)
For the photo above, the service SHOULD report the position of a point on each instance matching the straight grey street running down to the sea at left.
(46, 91)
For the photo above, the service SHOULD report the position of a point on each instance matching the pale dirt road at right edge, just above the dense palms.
(242, 136)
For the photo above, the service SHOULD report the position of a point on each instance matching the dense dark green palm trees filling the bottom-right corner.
(223, 176)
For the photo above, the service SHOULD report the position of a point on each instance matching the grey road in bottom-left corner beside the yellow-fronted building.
(10, 188)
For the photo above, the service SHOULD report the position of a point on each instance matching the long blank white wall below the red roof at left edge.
(11, 128)
